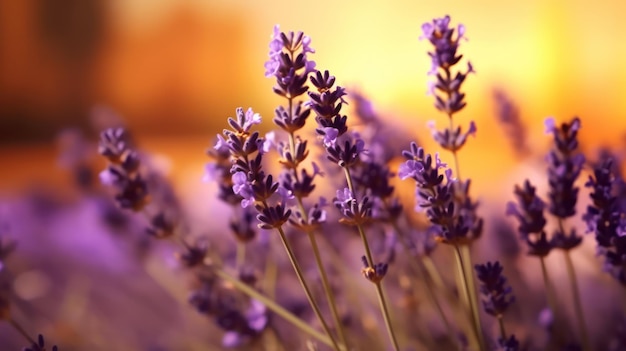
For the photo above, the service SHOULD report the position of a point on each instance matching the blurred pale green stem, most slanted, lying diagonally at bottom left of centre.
(276, 308)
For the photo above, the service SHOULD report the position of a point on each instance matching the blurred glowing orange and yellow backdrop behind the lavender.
(175, 69)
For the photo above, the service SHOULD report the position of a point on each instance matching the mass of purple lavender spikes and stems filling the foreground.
(319, 250)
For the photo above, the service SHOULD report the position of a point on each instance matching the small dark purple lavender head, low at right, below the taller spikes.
(496, 295)
